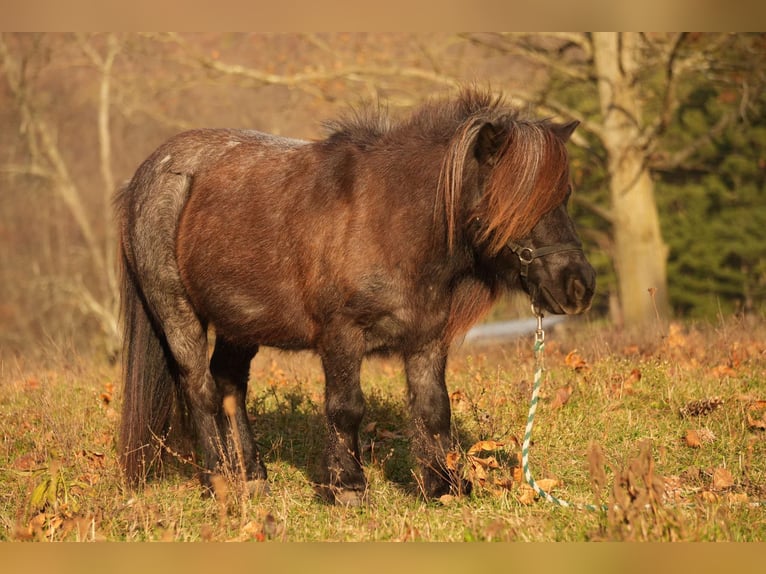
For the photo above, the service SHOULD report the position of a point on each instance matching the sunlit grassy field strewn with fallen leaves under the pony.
(666, 431)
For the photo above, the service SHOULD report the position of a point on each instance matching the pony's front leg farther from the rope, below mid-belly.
(344, 481)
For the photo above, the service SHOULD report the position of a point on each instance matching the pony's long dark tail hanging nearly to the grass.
(149, 399)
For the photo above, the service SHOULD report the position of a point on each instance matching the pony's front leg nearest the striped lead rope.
(430, 408)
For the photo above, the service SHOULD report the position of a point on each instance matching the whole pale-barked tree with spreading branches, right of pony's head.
(628, 90)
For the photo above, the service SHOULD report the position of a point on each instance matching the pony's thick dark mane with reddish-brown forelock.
(529, 172)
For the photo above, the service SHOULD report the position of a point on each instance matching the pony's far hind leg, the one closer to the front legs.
(230, 367)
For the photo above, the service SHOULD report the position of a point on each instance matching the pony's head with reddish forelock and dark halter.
(506, 186)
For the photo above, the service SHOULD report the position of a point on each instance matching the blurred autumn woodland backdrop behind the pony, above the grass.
(668, 165)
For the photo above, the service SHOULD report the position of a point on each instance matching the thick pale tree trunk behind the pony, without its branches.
(640, 253)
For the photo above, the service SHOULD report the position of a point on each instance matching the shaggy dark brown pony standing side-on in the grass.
(378, 239)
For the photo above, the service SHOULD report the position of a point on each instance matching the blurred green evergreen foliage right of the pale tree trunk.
(714, 211)
